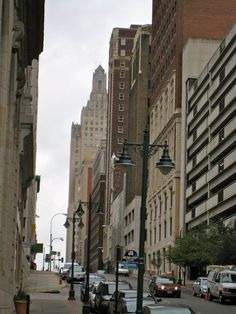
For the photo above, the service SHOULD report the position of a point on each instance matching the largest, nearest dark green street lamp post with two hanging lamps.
(165, 164)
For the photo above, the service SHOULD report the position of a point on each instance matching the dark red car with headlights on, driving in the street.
(164, 286)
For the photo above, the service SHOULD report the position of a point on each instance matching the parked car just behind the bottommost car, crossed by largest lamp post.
(128, 305)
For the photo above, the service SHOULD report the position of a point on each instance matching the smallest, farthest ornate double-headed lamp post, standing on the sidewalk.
(79, 212)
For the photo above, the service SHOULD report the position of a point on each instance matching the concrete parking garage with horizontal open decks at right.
(211, 140)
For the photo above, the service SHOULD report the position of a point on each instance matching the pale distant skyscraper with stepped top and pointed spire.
(90, 133)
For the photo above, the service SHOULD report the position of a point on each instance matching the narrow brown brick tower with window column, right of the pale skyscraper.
(120, 49)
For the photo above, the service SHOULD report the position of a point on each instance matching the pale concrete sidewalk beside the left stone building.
(48, 296)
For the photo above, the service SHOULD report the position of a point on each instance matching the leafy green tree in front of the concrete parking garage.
(215, 244)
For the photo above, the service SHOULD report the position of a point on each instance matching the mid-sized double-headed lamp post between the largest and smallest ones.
(89, 204)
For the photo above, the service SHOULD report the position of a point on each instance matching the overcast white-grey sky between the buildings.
(76, 41)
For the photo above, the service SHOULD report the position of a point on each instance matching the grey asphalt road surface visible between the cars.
(200, 306)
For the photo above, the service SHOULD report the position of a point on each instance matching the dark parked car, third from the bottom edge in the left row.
(124, 294)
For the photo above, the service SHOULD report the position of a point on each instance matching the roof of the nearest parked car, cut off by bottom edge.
(167, 309)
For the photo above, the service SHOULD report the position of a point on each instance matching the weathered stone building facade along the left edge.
(21, 42)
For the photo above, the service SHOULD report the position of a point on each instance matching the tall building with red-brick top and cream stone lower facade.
(174, 22)
